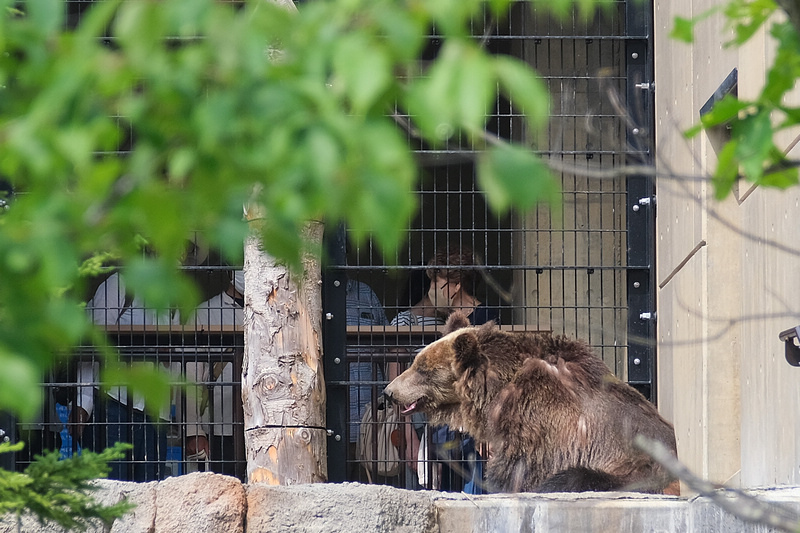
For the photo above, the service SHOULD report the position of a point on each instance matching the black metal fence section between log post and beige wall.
(583, 268)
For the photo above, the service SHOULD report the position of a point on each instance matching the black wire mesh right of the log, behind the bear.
(557, 268)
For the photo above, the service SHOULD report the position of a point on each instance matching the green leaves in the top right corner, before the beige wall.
(752, 152)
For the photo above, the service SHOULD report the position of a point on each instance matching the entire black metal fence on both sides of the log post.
(583, 268)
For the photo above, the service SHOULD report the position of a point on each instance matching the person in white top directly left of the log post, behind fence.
(226, 308)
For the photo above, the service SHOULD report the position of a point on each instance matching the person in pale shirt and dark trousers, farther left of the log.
(100, 420)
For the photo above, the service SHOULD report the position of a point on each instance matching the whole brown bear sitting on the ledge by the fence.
(555, 418)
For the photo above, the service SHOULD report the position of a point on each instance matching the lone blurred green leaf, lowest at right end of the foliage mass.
(512, 176)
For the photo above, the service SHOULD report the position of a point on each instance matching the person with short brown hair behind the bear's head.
(454, 275)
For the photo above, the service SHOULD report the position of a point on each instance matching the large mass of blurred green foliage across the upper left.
(149, 120)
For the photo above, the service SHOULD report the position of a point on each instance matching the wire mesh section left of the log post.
(200, 356)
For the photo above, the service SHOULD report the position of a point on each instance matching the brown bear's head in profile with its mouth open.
(429, 385)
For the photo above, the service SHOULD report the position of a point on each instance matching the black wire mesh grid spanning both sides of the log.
(559, 269)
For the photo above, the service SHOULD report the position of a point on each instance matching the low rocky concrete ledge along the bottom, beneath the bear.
(213, 503)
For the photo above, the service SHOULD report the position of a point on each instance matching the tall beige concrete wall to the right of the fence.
(723, 379)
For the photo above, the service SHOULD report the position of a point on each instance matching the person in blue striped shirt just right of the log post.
(363, 308)
